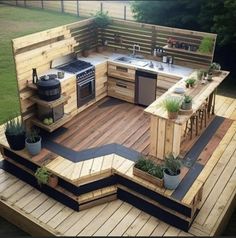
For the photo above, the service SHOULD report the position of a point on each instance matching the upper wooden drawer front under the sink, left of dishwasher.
(121, 72)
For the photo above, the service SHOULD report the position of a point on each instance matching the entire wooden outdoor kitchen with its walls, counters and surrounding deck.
(125, 146)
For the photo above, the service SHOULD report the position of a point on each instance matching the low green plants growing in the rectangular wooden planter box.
(150, 167)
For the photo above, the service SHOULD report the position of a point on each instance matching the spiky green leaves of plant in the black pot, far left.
(14, 126)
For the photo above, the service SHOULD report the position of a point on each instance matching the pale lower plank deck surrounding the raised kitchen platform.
(37, 213)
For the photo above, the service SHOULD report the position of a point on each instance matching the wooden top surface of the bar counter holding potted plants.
(199, 93)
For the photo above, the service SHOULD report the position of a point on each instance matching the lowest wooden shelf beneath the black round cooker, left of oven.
(54, 125)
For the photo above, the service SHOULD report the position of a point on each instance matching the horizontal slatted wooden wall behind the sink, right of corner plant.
(151, 36)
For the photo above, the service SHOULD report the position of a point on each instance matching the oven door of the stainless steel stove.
(85, 91)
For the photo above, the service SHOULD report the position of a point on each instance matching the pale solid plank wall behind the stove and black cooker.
(37, 51)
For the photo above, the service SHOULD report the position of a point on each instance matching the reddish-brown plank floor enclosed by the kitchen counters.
(109, 121)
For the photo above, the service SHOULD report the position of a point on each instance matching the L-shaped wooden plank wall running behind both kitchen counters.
(39, 49)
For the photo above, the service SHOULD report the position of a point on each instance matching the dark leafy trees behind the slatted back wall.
(217, 16)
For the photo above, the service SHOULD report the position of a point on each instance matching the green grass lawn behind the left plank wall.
(16, 22)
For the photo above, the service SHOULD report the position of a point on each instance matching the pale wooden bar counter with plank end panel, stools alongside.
(166, 134)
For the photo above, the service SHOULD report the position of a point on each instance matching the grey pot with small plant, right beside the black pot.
(33, 142)
